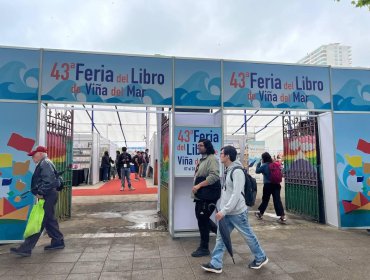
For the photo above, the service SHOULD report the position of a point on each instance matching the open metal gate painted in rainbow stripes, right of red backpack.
(303, 188)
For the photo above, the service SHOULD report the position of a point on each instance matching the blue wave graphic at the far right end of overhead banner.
(350, 97)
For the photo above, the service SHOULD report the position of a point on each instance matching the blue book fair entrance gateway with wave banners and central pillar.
(339, 96)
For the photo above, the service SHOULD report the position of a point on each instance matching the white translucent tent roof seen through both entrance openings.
(129, 127)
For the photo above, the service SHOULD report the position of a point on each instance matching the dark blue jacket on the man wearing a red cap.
(43, 178)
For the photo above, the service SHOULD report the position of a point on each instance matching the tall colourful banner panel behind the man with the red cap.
(18, 136)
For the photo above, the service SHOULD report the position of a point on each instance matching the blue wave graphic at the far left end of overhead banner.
(16, 82)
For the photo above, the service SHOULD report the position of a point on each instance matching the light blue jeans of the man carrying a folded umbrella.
(240, 222)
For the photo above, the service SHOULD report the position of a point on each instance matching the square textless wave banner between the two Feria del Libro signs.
(197, 83)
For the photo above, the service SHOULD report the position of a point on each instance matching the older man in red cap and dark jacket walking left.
(43, 186)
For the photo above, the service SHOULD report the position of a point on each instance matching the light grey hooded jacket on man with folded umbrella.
(232, 200)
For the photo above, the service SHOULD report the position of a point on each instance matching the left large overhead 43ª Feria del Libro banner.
(82, 77)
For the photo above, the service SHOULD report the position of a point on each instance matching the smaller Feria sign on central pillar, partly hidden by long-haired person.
(186, 149)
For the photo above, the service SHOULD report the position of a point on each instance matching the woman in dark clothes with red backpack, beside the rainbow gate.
(272, 177)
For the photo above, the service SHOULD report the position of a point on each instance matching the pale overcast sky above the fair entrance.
(257, 30)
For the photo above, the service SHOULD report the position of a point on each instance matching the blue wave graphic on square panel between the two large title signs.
(198, 91)
